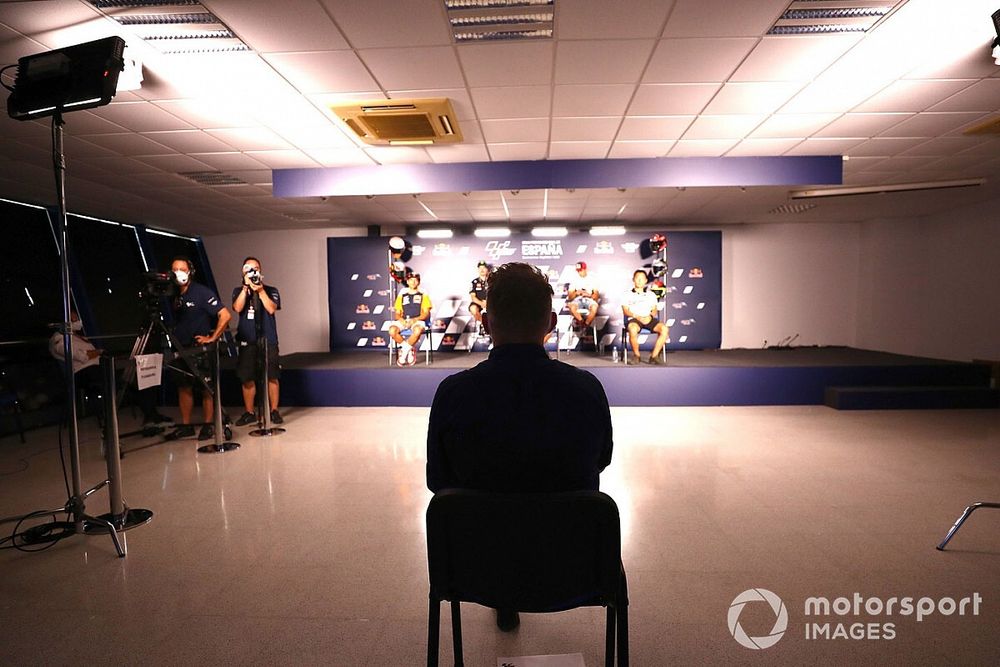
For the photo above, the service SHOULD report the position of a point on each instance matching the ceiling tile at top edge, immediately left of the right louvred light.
(723, 18)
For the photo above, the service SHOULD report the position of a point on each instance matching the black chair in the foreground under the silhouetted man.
(535, 553)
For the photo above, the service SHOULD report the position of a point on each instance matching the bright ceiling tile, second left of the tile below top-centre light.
(323, 71)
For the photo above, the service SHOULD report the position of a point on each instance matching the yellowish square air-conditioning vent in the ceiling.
(401, 122)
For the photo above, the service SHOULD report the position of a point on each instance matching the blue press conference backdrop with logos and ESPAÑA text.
(360, 312)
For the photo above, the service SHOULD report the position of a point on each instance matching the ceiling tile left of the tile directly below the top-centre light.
(429, 67)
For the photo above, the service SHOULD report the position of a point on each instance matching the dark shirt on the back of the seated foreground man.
(519, 422)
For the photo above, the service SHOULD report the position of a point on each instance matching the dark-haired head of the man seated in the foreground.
(520, 304)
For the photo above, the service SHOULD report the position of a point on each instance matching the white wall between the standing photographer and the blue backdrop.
(295, 263)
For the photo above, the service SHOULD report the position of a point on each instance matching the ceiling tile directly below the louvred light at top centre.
(514, 64)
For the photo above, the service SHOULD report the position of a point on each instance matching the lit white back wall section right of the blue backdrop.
(785, 279)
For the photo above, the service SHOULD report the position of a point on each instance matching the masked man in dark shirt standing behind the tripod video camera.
(199, 319)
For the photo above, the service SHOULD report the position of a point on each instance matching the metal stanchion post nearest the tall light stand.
(121, 517)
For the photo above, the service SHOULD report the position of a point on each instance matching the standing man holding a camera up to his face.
(256, 304)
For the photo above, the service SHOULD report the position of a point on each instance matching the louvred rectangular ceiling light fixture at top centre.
(500, 20)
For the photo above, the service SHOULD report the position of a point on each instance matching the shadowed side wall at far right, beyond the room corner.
(931, 287)
